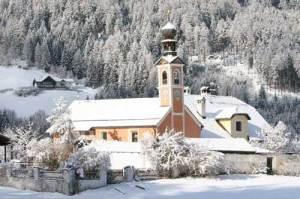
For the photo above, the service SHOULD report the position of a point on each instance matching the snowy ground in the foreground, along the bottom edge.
(222, 187)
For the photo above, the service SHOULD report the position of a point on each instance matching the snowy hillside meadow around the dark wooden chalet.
(12, 78)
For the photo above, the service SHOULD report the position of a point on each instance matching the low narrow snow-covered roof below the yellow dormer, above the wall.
(224, 144)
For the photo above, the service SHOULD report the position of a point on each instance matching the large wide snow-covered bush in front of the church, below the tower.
(170, 152)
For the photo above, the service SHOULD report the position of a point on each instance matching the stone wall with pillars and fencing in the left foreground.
(37, 179)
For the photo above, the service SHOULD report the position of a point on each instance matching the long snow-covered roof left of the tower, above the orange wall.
(117, 112)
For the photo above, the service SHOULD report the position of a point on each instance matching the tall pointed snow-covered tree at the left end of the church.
(61, 122)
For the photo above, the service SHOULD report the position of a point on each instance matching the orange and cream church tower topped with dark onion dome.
(170, 78)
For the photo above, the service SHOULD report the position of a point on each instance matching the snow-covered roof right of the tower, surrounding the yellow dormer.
(218, 104)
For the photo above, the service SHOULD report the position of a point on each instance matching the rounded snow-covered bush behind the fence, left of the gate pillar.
(90, 159)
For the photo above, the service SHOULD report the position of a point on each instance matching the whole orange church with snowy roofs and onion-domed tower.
(196, 116)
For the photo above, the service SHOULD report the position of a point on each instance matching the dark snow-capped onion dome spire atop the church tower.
(169, 39)
